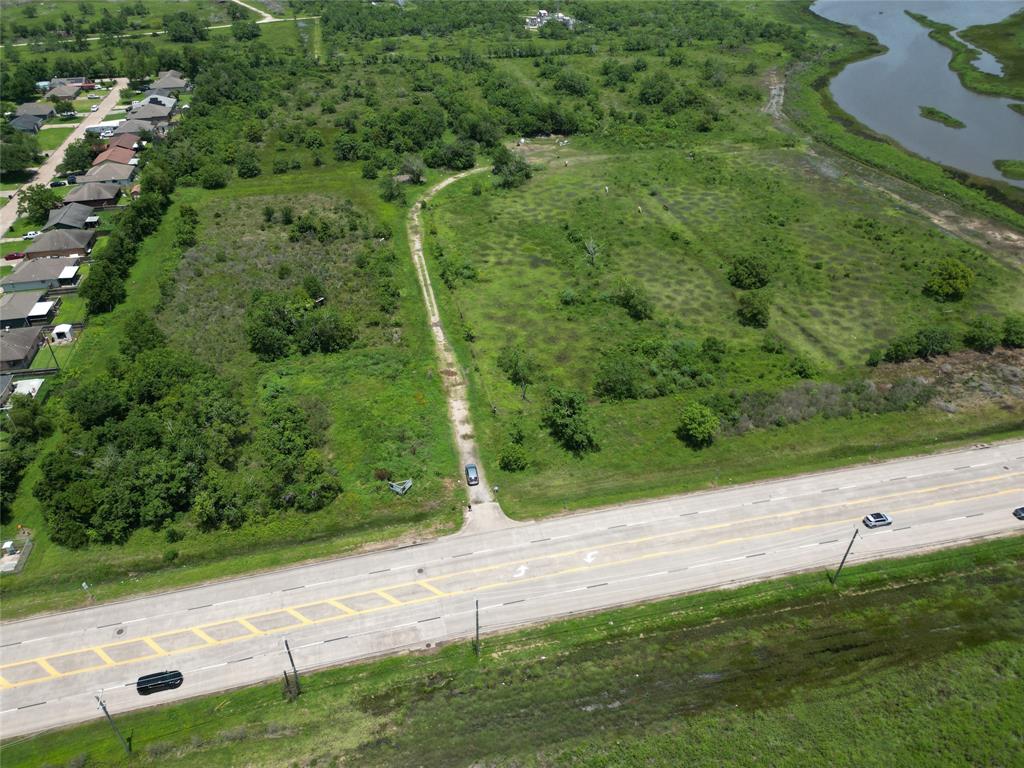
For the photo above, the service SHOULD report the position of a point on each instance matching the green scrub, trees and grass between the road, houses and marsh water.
(720, 300)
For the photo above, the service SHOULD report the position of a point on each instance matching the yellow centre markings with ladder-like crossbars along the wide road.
(437, 593)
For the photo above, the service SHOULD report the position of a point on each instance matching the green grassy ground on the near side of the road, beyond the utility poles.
(915, 662)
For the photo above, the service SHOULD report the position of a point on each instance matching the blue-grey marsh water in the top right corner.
(886, 93)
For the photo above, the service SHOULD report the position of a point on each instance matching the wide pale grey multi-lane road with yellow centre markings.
(232, 633)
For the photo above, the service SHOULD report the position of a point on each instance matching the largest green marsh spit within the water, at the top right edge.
(1005, 40)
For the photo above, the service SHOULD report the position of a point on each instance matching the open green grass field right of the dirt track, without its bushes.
(673, 226)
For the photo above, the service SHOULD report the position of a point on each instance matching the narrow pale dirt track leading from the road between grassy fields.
(484, 514)
